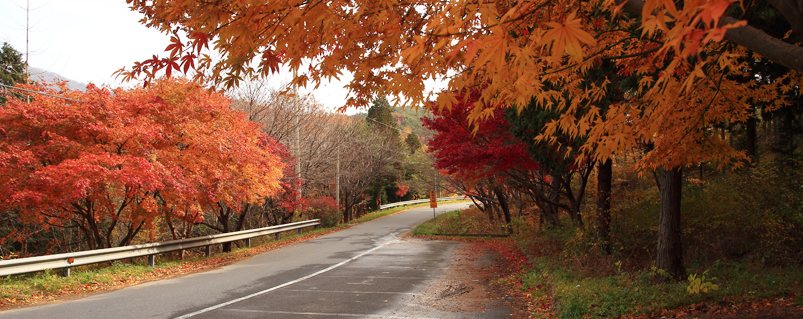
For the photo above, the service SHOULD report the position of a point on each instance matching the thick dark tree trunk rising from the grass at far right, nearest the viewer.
(670, 249)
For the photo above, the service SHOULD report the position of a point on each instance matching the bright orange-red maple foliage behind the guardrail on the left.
(112, 163)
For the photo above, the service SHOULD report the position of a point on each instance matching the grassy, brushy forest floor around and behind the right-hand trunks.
(742, 229)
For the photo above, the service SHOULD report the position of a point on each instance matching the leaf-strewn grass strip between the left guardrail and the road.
(22, 290)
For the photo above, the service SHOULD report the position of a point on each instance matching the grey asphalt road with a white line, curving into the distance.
(366, 271)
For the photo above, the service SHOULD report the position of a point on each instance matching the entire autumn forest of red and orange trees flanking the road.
(620, 143)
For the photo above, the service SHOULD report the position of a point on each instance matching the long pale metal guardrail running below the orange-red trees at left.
(67, 260)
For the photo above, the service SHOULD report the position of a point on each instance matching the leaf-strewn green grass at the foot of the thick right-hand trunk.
(590, 285)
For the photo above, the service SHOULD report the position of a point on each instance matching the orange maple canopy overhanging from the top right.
(685, 55)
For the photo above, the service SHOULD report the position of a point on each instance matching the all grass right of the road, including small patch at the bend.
(570, 279)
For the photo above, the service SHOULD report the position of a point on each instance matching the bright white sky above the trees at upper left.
(88, 40)
